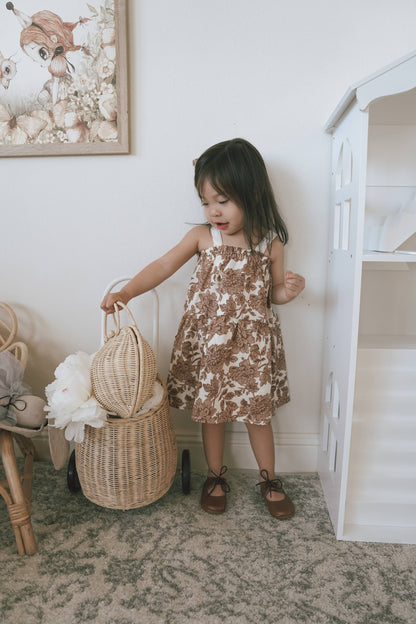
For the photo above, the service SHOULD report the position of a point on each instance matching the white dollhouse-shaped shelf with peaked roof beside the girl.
(367, 460)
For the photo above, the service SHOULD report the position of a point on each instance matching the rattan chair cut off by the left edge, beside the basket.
(16, 489)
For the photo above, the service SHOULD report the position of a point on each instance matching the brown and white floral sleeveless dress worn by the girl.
(228, 361)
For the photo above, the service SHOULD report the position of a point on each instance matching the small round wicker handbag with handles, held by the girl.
(123, 371)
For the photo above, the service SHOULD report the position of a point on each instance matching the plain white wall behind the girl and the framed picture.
(201, 71)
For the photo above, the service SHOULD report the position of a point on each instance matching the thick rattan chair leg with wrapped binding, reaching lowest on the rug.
(19, 510)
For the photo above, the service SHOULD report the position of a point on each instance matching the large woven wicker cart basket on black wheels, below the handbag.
(128, 463)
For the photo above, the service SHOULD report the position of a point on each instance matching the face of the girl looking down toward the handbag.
(221, 212)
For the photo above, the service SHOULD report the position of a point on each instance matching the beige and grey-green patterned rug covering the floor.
(171, 563)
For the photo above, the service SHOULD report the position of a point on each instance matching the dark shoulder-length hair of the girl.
(236, 169)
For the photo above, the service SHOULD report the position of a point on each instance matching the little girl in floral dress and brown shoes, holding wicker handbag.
(228, 362)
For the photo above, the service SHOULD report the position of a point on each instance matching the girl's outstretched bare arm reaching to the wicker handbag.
(158, 271)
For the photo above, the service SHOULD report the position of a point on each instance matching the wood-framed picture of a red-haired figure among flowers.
(63, 77)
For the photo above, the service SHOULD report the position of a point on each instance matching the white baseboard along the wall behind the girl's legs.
(295, 452)
